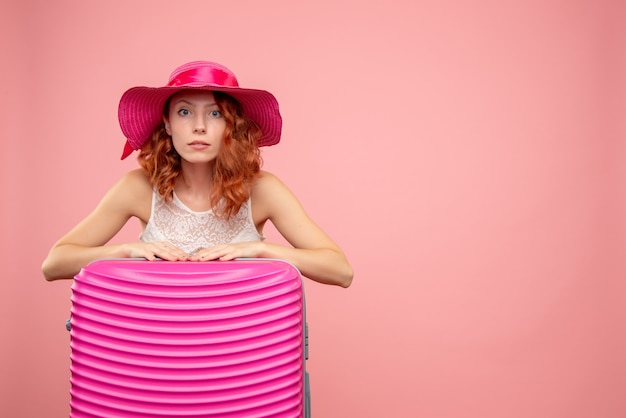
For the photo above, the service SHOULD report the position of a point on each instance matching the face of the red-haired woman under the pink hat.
(196, 125)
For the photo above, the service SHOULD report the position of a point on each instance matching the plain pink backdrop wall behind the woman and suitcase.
(467, 155)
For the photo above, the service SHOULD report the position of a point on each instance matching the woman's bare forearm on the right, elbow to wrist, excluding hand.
(323, 265)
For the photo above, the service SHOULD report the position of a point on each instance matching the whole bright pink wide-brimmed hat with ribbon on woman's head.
(141, 108)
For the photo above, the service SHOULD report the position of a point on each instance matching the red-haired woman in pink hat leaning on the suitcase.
(200, 193)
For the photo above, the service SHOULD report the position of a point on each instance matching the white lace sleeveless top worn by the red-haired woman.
(189, 230)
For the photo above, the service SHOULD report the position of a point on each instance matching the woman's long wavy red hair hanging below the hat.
(236, 166)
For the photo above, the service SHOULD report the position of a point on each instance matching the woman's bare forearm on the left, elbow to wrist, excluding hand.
(65, 261)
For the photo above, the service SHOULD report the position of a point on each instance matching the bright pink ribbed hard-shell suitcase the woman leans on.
(188, 339)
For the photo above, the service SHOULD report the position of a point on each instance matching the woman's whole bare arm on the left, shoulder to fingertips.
(130, 196)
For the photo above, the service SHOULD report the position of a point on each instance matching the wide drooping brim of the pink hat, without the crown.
(141, 111)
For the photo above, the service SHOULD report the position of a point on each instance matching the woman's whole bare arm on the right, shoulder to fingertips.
(313, 252)
